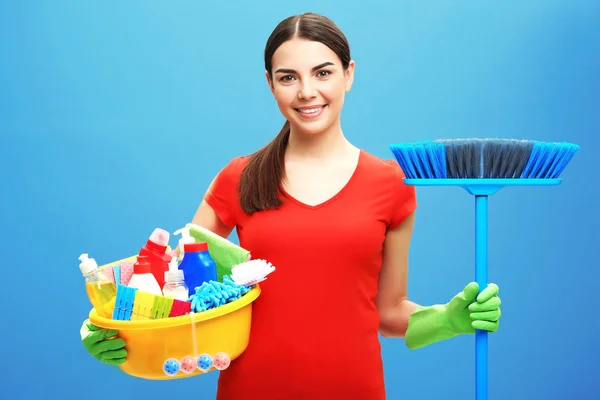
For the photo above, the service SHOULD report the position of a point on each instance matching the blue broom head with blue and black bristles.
(483, 158)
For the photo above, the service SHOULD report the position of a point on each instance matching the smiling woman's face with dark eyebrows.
(309, 85)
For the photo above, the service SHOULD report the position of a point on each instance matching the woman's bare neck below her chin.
(325, 144)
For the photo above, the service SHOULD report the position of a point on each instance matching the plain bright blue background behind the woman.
(115, 116)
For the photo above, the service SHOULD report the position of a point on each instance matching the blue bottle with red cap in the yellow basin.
(197, 266)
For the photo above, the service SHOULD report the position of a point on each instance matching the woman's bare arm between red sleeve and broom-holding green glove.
(392, 298)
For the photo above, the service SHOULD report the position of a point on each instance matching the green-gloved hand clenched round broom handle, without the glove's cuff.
(470, 310)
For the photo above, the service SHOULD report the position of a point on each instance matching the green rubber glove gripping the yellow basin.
(103, 344)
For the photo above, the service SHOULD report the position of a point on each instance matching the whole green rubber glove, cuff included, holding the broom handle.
(467, 311)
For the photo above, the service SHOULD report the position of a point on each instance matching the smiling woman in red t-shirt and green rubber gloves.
(337, 223)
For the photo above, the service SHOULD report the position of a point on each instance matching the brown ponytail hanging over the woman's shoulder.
(260, 182)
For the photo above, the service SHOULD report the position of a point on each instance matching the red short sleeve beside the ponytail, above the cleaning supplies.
(223, 196)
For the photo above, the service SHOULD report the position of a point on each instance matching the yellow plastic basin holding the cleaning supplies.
(150, 343)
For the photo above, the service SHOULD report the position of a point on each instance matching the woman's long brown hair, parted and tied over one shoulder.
(260, 183)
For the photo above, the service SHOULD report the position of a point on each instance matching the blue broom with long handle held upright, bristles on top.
(482, 167)
